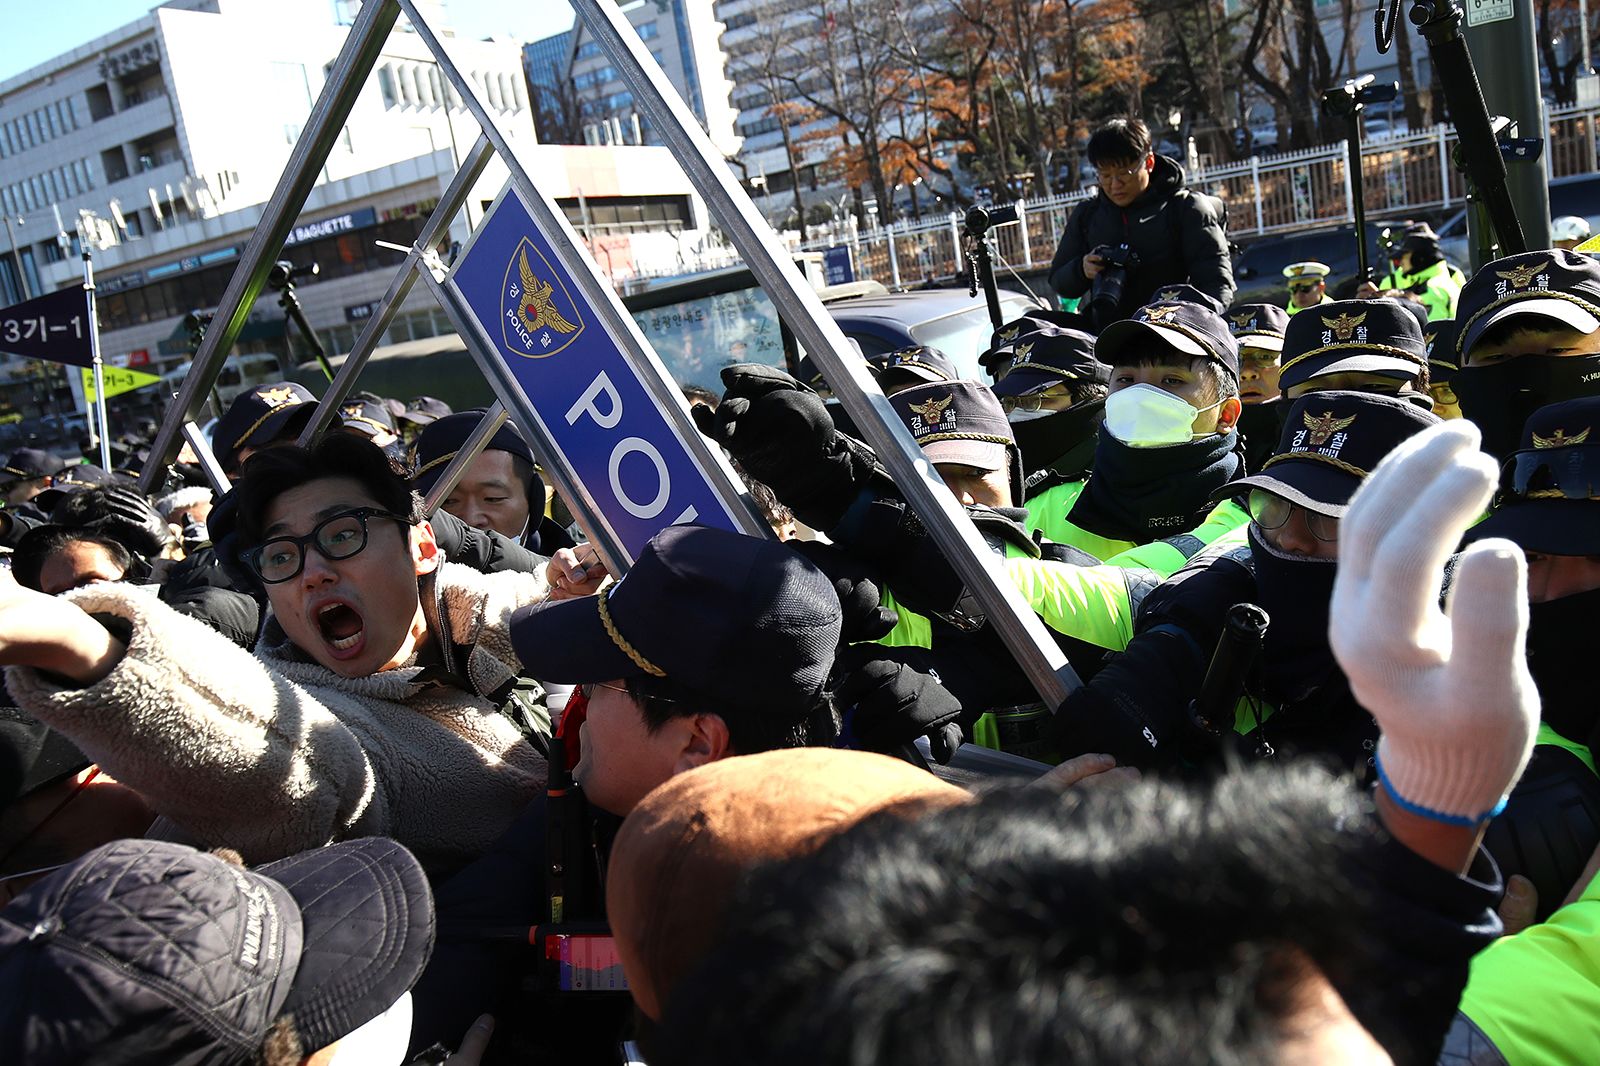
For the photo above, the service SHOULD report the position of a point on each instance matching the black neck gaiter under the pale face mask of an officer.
(1146, 494)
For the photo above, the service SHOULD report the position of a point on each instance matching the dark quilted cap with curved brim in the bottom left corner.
(146, 952)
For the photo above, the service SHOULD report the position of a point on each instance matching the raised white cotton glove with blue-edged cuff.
(1449, 689)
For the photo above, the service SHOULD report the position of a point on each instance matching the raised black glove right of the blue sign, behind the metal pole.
(783, 436)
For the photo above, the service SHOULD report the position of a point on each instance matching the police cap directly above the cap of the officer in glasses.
(1375, 337)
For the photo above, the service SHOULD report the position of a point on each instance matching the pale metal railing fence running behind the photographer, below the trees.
(1407, 174)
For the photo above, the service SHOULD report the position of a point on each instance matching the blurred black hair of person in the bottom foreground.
(1150, 924)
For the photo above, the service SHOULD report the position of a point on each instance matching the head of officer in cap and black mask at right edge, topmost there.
(1529, 335)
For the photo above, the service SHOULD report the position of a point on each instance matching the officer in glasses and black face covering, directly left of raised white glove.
(1297, 700)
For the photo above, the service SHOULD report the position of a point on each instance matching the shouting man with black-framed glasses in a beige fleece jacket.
(372, 705)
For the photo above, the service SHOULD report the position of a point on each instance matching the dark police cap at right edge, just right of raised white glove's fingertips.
(1550, 494)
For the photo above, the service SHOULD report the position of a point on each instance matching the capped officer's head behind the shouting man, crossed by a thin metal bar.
(502, 489)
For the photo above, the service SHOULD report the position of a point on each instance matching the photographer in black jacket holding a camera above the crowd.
(1142, 231)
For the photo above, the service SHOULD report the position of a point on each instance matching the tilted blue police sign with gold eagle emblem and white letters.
(582, 385)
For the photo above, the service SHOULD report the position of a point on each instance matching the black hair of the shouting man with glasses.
(271, 473)
